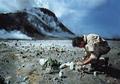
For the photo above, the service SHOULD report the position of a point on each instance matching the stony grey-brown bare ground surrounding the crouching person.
(19, 62)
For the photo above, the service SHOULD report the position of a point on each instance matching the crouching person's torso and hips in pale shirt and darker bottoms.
(96, 44)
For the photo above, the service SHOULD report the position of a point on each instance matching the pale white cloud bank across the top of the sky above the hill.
(60, 7)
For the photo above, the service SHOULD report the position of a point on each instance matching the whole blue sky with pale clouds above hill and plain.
(80, 16)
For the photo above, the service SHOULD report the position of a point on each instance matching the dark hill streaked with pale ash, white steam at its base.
(34, 23)
